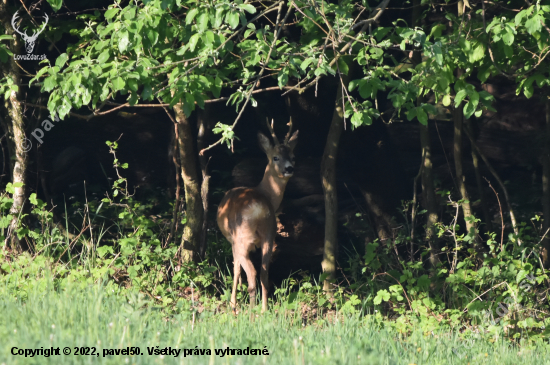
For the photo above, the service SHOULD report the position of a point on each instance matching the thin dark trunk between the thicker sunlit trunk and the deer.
(203, 161)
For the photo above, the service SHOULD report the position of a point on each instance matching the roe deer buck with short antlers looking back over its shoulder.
(246, 216)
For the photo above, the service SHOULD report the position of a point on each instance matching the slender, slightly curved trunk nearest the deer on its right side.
(328, 178)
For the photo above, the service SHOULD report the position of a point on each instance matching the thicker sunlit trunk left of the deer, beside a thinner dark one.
(191, 239)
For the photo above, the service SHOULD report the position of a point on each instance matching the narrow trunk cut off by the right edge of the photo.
(546, 189)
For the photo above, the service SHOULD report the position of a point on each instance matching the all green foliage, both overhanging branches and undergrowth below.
(165, 53)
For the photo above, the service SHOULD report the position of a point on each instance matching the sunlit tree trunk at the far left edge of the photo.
(19, 144)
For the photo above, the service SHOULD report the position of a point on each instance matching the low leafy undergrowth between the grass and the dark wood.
(497, 292)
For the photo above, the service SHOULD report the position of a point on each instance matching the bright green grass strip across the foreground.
(96, 317)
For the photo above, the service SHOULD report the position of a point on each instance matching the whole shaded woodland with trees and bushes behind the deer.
(423, 166)
